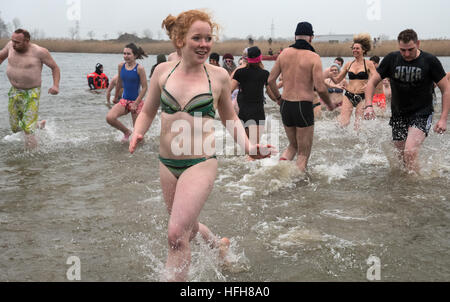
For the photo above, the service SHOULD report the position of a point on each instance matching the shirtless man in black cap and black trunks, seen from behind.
(302, 70)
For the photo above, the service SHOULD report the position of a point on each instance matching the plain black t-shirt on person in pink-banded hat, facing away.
(251, 81)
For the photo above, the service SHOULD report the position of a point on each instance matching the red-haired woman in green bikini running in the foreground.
(189, 92)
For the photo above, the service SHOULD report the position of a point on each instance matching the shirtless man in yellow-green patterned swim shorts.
(24, 70)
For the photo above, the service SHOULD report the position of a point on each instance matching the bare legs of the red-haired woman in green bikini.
(185, 199)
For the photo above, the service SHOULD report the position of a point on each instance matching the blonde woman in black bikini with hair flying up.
(358, 73)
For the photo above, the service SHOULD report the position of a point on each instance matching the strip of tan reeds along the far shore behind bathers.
(235, 47)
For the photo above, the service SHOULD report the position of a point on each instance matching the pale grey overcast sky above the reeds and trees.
(237, 18)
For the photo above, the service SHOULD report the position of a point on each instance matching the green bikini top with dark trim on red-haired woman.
(202, 103)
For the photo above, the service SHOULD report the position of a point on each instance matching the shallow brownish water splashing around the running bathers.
(82, 194)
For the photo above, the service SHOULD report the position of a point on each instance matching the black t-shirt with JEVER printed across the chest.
(412, 83)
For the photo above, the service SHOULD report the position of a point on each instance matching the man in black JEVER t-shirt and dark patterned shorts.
(412, 74)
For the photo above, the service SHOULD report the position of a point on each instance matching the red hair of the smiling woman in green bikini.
(177, 27)
